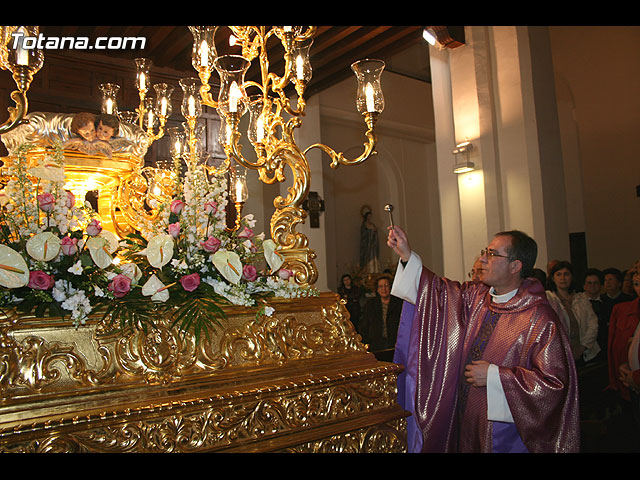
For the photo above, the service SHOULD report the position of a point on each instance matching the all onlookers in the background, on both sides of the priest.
(601, 317)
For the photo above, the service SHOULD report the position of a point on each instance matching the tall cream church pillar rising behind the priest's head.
(497, 91)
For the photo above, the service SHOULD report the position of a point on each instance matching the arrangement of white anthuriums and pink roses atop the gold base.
(56, 260)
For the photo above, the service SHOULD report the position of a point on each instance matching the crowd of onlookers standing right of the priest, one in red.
(602, 320)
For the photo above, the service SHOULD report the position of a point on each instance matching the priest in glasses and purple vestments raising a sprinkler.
(492, 364)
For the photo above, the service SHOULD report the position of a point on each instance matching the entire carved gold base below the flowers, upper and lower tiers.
(298, 381)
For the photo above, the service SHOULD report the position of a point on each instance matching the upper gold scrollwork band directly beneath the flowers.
(38, 359)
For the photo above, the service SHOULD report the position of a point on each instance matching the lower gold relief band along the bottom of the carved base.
(237, 420)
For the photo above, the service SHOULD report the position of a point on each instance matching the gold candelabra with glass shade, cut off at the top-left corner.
(24, 63)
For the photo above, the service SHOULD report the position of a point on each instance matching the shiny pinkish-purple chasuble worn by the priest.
(528, 344)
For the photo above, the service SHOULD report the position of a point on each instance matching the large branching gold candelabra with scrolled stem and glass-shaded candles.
(273, 120)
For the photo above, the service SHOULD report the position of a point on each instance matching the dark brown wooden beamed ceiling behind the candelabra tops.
(333, 51)
